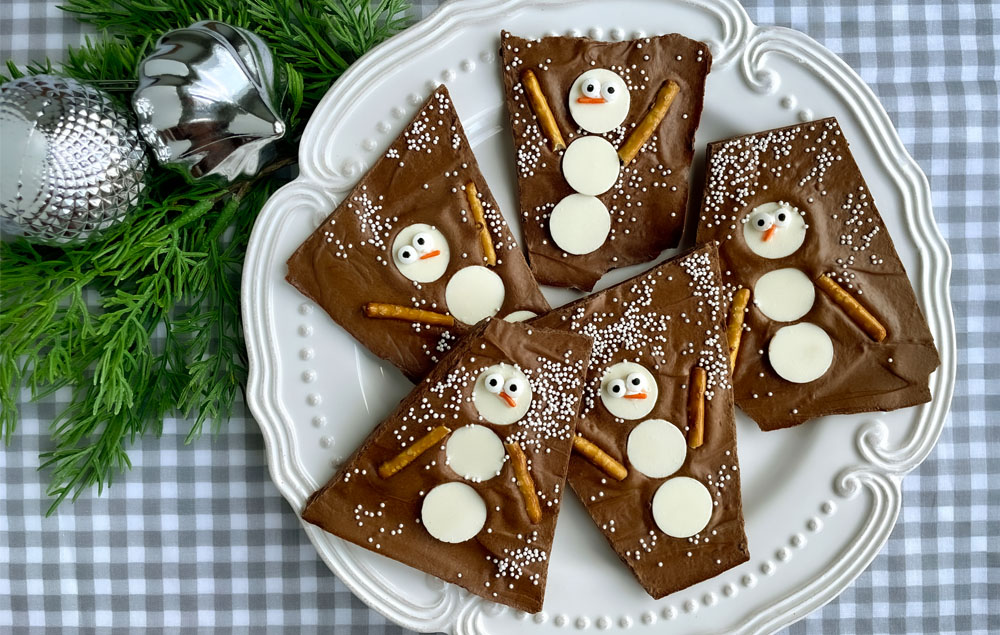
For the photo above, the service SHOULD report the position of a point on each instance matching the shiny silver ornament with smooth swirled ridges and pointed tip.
(209, 101)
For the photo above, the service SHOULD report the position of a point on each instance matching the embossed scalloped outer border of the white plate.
(742, 43)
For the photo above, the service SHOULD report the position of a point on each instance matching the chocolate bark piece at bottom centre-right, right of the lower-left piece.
(660, 326)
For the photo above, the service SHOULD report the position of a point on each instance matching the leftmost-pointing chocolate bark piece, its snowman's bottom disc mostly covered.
(369, 249)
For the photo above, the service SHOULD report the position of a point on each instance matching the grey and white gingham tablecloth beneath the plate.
(198, 535)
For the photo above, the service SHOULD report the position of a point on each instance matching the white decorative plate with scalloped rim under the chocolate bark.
(820, 499)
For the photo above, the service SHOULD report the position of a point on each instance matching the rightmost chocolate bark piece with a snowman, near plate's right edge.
(807, 171)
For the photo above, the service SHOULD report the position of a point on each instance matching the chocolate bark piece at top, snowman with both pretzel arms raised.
(648, 200)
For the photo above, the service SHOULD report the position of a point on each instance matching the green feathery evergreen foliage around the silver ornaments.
(166, 339)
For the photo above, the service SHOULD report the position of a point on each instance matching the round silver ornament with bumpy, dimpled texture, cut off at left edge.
(72, 160)
